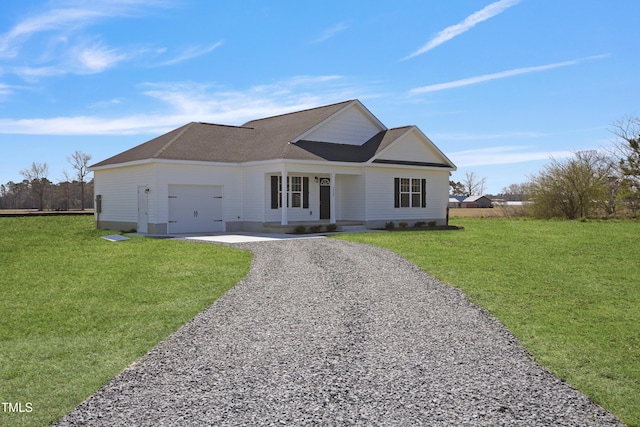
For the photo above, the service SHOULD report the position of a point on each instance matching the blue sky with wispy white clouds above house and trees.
(499, 86)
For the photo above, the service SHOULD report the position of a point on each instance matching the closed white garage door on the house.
(195, 208)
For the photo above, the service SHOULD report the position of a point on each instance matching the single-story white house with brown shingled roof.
(334, 164)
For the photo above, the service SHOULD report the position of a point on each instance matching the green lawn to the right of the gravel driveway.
(569, 290)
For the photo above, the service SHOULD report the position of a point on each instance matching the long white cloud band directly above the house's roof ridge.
(187, 101)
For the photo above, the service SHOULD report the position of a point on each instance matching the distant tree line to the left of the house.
(36, 191)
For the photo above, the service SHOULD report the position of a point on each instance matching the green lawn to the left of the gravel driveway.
(77, 309)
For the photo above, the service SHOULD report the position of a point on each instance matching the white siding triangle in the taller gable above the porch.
(349, 127)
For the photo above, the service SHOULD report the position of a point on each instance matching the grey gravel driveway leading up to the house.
(332, 333)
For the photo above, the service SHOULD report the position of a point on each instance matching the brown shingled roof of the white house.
(262, 139)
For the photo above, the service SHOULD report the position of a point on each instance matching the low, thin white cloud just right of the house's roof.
(503, 155)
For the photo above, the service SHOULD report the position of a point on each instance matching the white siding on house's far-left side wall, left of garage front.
(119, 190)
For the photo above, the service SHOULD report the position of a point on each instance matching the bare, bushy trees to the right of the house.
(592, 183)
